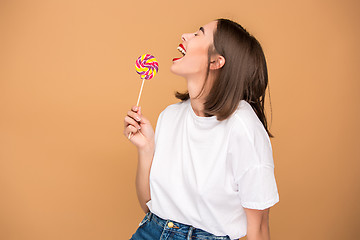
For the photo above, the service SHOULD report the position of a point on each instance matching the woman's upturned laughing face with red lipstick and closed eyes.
(194, 47)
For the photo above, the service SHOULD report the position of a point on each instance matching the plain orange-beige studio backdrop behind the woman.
(67, 79)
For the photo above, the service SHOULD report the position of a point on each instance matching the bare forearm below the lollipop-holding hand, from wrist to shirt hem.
(142, 177)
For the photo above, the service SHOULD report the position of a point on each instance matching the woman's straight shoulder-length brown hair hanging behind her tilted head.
(244, 75)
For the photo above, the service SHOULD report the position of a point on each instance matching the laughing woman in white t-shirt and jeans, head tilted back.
(207, 172)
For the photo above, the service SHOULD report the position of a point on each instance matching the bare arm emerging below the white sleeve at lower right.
(257, 224)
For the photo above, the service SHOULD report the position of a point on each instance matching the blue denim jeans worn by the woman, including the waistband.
(153, 227)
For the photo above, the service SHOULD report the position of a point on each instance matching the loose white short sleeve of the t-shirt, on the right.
(252, 163)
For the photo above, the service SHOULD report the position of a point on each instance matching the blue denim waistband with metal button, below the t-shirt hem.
(183, 229)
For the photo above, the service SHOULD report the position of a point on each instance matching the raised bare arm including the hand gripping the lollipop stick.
(143, 138)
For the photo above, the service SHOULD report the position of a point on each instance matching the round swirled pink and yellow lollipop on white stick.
(147, 67)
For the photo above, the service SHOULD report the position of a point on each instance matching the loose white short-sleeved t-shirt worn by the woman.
(205, 171)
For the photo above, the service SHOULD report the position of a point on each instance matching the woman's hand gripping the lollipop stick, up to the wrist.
(139, 130)
